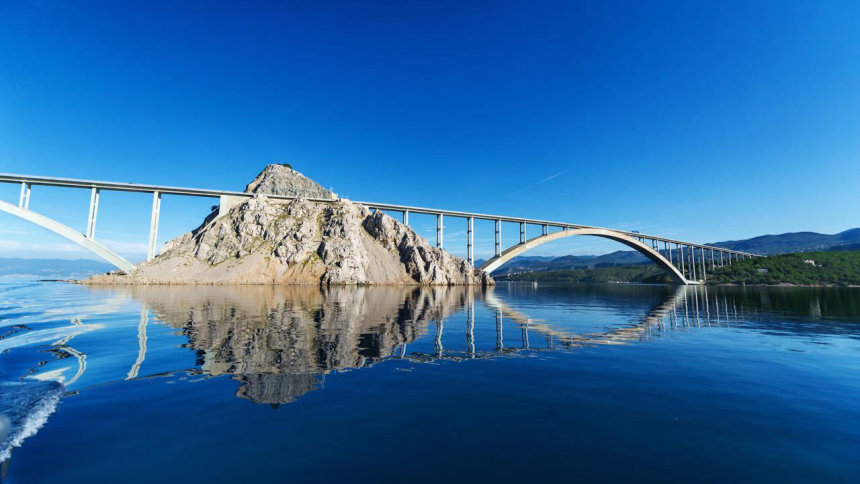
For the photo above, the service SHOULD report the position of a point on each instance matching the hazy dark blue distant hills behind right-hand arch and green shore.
(765, 244)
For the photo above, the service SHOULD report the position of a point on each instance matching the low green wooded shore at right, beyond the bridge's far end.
(832, 268)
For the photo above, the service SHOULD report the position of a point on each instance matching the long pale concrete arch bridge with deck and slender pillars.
(685, 262)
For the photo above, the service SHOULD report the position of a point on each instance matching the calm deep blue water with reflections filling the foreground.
(215, 384)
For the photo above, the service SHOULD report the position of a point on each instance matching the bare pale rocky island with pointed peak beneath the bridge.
(315, 238)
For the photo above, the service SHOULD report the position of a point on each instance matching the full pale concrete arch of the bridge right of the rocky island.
(644, 249)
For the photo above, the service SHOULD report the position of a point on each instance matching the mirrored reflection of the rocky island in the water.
(279, 341)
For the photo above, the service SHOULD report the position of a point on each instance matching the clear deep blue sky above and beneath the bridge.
(700, 120)
